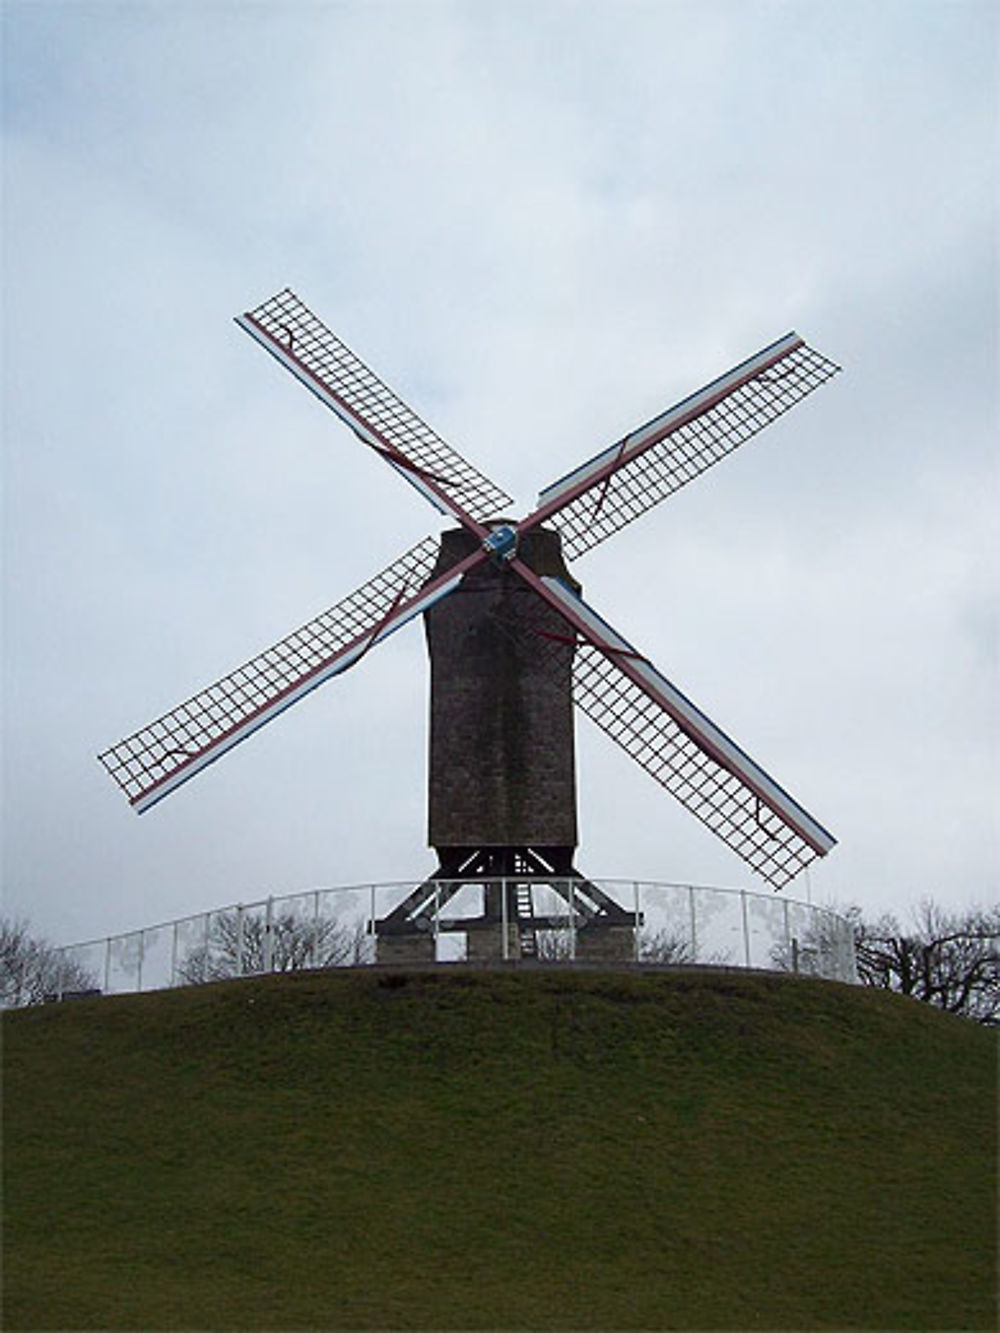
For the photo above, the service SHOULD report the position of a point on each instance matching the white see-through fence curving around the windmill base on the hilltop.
(677, 924)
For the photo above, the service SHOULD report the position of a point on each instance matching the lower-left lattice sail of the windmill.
(154, 760)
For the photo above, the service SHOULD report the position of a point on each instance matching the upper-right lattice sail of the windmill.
(623, 482)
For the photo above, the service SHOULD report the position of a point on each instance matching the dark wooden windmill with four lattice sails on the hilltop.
(513, 646)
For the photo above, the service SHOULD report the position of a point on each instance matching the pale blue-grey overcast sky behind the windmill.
(542, 223)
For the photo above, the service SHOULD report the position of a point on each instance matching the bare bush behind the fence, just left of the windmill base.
(241, 943)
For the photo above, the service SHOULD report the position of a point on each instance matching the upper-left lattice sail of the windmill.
(317, 357)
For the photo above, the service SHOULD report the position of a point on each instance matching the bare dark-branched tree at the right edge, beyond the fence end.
(951, 960)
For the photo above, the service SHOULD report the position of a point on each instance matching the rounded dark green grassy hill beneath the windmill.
(547, 1150)
